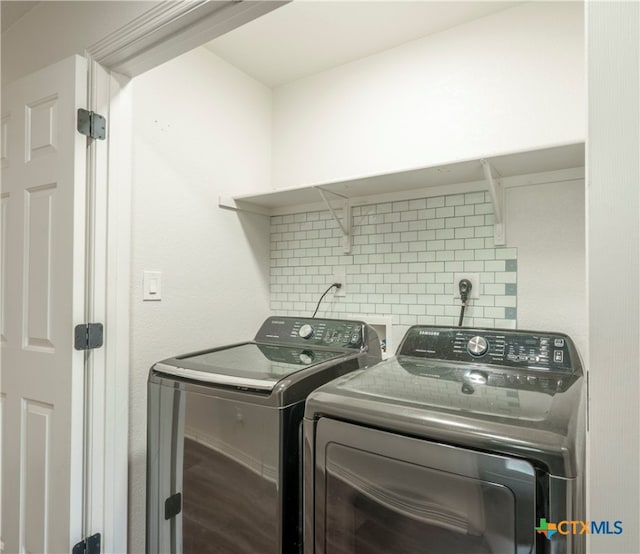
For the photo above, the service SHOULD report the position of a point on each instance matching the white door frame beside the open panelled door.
(166, 31)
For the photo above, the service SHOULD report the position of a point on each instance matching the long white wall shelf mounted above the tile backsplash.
(450, 178)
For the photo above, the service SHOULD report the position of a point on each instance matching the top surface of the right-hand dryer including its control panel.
(515, 392)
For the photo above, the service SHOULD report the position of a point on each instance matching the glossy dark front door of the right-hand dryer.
(381, 492)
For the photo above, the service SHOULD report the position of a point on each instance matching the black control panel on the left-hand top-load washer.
(330, 333)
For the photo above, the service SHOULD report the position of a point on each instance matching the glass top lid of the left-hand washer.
(250, 365)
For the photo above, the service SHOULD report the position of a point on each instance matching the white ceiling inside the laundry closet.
(306, 37)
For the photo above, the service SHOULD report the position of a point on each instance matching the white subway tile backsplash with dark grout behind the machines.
(402, 264)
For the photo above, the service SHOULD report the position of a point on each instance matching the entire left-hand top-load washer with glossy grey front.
(224, 435)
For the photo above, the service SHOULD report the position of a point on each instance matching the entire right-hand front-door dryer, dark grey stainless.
(467, 441)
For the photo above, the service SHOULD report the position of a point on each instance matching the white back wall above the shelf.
(512, 81)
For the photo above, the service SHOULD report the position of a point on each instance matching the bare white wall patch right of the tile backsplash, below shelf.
(546, 224)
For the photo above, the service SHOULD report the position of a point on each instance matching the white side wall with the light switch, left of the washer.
(201, 128)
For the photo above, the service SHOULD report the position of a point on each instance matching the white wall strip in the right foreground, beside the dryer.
(613, 249)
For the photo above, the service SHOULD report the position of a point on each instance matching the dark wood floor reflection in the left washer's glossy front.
(227, 509)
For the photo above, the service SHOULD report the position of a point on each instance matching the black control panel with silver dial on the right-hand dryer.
(515, 349)
